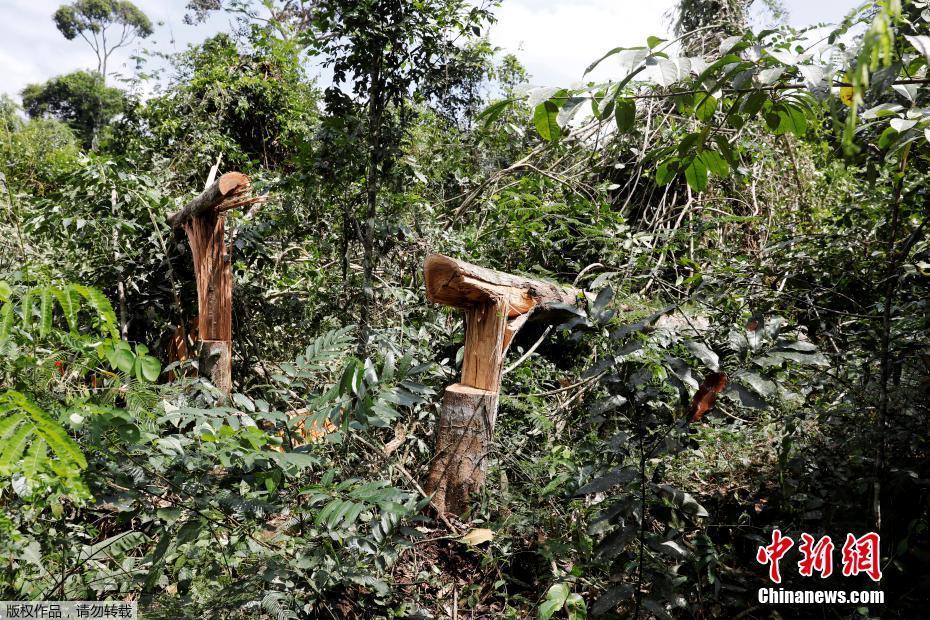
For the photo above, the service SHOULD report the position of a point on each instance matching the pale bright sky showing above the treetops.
(556, 40)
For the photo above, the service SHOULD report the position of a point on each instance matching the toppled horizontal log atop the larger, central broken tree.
(460, 284)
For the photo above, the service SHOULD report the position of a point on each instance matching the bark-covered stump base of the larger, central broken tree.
(463, 438)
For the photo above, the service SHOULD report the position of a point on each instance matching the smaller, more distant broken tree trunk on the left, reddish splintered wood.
(203, 219)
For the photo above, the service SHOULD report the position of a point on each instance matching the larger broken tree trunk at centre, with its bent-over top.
(496, 306)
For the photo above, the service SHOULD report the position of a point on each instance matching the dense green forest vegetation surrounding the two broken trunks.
(743, 205)
